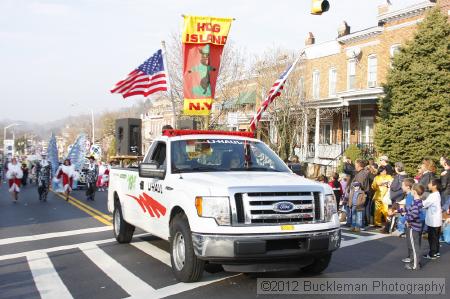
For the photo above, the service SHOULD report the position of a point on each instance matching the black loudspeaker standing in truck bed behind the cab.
(128, 136)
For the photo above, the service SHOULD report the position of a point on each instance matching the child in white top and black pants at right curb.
(433, 218)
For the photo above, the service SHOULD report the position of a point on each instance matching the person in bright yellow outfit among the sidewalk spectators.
(381, 185)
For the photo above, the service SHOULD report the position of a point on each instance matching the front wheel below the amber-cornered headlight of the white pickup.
(185, 265)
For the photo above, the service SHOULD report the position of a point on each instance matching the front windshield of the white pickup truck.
(207, 155)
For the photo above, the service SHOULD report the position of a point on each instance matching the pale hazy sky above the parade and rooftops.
(60, 58)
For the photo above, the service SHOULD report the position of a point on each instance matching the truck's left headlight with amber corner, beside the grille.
(214, 207)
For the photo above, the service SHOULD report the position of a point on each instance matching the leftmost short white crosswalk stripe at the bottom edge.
(47, 280)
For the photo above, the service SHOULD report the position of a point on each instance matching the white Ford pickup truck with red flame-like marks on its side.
(225, 198)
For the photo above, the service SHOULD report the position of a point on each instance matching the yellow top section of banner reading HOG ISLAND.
(206, 30)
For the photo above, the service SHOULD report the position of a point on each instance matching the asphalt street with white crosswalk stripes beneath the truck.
(66, 250)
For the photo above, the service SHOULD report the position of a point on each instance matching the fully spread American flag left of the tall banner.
(148, 78)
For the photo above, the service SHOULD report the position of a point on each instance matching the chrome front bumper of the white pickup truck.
(263, 247)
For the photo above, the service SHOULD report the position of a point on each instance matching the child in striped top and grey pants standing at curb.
(414, 229)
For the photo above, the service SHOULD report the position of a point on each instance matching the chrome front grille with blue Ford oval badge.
(261, 208)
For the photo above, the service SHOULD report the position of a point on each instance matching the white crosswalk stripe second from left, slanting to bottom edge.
(129, 282)
